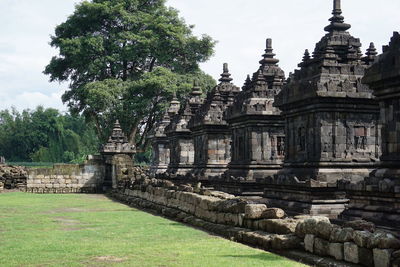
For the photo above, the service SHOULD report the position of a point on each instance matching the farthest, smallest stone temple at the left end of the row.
(160, 142)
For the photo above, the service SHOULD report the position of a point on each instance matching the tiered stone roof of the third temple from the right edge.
(258, 93)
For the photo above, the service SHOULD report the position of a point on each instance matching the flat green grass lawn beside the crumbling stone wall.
(91, 230)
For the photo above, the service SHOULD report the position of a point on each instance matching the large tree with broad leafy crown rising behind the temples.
(124, 59)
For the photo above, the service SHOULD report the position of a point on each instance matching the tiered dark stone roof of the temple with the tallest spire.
(335, 68)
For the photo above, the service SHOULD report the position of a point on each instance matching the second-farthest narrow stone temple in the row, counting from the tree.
(180, 137)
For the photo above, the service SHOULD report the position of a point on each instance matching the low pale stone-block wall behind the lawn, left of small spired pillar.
(68, 178)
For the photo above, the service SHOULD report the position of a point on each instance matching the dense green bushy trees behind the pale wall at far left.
(45, 135)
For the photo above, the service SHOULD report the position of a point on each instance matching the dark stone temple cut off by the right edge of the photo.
(377, 198)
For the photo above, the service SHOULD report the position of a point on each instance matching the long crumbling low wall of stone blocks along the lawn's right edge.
(252, 222)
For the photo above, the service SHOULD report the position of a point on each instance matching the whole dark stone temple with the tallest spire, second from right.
(331, 124)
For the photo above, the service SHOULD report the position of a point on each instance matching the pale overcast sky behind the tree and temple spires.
(239, 26)
